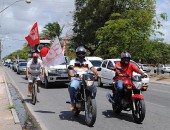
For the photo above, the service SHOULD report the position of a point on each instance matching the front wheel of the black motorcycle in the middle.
(91, 111)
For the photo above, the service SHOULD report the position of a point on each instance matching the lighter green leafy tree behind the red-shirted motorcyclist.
(128, 29)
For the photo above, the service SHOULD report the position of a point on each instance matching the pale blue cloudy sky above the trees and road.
(17, 20)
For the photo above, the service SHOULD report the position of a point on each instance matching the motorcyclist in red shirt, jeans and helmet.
(122, 68)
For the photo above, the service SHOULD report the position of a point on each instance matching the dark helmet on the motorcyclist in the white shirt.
(80, 52)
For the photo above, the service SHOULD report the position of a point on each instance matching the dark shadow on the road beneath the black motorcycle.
(68, 115)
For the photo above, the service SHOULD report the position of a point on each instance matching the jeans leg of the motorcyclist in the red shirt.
(119, 89)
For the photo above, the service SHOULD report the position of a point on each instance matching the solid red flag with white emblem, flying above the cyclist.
(33, 38)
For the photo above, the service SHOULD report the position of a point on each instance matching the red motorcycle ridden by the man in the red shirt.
(131, 97)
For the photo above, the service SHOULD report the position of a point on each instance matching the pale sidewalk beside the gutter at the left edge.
(6, 117)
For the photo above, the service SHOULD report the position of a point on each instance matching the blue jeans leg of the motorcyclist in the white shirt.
(74, 85)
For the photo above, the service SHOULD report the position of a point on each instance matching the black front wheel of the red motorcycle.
(139, 113)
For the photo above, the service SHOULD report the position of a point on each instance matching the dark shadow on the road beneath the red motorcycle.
(122, 116)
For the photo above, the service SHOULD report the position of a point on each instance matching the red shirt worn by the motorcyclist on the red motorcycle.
(128, 69)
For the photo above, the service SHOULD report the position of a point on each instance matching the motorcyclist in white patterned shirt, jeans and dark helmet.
(78, 66)
